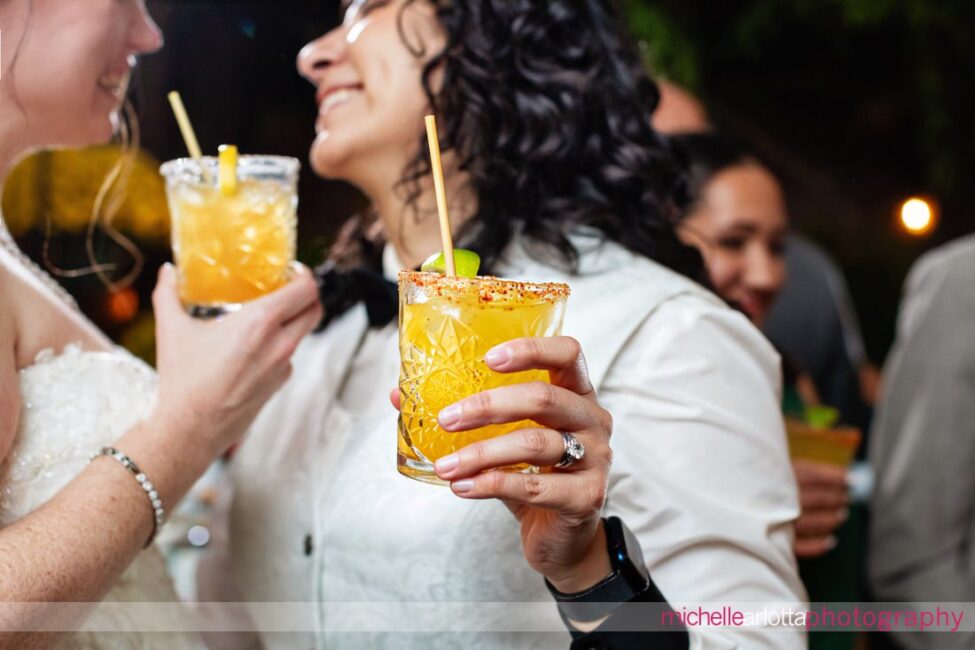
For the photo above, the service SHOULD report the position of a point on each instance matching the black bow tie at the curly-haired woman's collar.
(340, 290)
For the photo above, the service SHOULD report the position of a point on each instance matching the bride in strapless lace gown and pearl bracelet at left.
(95, 447)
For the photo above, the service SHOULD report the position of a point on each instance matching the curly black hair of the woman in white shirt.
(547, 104)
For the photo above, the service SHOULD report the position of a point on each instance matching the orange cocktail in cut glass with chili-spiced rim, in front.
(446, 326)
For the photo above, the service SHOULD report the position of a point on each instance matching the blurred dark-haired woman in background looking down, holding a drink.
(737, 218)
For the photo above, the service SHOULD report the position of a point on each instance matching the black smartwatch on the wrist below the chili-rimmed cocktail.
(629, 579)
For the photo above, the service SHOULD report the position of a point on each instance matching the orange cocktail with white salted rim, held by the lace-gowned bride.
(235, 245)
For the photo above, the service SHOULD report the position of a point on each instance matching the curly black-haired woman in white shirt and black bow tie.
(554, 174)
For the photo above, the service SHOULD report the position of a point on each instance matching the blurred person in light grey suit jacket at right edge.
(922, 533)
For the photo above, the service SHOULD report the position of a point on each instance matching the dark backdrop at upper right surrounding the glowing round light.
(855, 104)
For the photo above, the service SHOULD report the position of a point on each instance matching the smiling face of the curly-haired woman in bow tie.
(368, 75)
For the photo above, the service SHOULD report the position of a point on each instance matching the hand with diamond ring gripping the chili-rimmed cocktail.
(559, 510)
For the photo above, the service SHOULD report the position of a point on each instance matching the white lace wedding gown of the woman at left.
(72, 404)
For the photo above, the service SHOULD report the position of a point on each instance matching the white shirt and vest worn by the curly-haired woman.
(701, 475)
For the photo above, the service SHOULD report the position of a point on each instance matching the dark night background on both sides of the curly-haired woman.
(856, 104)
